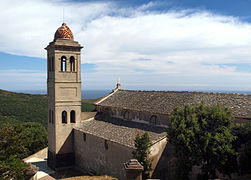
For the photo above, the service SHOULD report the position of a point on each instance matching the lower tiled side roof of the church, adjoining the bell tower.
(121, 131)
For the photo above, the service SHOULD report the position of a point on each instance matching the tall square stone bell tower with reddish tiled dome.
(64, 96)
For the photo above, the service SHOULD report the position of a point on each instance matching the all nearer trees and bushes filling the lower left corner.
(16, 143)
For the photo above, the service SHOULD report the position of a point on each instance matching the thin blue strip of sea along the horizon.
(94, 94)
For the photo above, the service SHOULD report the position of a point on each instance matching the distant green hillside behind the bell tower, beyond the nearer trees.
(17, 108)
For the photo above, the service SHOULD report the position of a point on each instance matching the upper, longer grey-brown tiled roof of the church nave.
(164, 102)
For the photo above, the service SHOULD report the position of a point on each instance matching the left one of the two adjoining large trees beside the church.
(182, 132)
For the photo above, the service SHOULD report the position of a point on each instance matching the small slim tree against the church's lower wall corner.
(142, 152)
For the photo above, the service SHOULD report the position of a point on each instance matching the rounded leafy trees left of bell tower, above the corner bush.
(22, 140)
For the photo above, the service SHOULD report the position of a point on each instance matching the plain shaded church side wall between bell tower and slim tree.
(95, 154)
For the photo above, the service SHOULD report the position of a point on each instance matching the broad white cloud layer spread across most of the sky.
(121, 41)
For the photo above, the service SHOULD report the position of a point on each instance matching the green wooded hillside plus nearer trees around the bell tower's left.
(23, 123)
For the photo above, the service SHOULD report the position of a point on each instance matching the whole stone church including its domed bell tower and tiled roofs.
(102, 141)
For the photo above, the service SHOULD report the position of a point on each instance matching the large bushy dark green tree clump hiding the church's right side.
(201, 135)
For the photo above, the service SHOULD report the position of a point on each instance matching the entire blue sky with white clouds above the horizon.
(193, 45)
